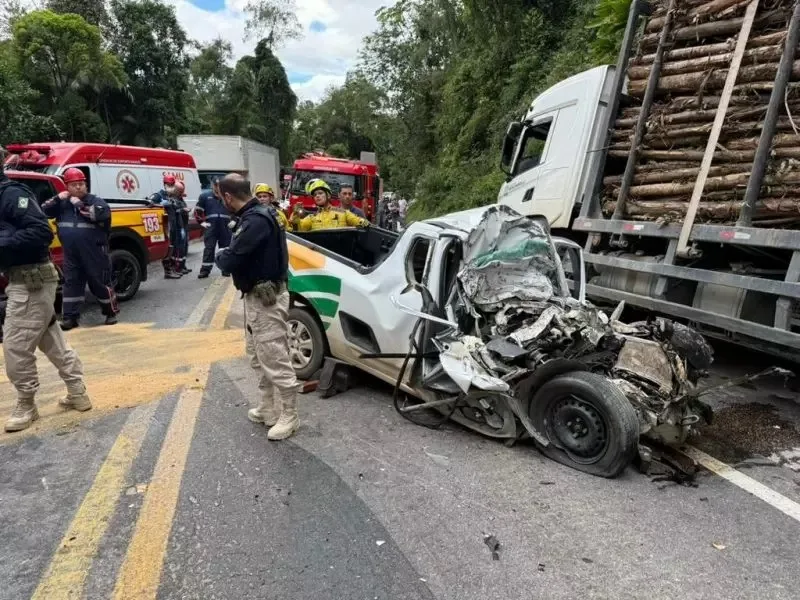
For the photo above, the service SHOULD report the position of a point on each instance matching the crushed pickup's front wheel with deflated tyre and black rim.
(589, 422)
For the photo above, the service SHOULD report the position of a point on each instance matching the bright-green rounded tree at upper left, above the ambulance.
(63, 59)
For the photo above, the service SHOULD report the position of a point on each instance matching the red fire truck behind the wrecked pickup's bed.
(363, 176)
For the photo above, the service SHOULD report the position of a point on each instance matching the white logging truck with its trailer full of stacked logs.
(676, 168)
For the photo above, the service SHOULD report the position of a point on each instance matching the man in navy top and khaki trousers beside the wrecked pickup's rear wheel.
(258, 261)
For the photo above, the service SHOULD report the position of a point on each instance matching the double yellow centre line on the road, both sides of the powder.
(140, 573)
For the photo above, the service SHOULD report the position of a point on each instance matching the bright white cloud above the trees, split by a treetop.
(325, 56)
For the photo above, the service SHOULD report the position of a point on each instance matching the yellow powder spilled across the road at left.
(125, 365)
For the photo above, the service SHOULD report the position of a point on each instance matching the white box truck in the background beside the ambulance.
(218, 155)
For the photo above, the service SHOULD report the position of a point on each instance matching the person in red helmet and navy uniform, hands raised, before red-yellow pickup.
(83, 221)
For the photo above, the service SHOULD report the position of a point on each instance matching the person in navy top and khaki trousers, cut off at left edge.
(31, 323)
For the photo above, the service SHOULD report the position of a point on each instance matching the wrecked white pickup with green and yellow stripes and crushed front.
(472, 315)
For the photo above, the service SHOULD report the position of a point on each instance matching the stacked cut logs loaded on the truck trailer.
(694, 68)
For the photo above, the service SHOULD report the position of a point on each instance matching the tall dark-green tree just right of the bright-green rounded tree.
(150, 43)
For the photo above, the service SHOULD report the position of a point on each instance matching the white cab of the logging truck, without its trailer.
(550, 156)
